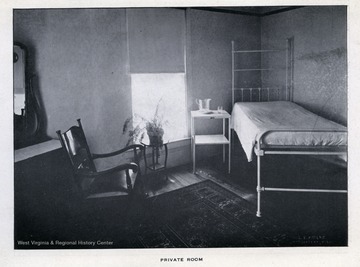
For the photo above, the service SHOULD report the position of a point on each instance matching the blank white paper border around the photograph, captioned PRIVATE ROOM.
(312, 256)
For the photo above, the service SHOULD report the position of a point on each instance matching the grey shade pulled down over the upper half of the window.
(156, 40)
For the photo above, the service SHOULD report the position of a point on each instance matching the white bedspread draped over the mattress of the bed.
(251, 119)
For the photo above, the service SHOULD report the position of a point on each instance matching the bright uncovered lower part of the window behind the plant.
(168, 88)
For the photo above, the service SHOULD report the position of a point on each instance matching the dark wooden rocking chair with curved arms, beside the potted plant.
(92, 184)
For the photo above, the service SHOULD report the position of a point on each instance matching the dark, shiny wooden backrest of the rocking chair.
(75, 144)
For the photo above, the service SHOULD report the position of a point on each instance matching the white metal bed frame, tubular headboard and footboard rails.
(261, 148)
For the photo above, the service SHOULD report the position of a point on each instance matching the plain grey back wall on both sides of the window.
(81, 60)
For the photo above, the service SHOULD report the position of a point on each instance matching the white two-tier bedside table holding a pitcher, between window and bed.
(211, 139)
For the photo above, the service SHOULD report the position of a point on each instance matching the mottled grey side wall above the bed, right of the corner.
(320, 46)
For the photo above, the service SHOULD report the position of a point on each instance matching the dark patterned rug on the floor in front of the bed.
(207, 215)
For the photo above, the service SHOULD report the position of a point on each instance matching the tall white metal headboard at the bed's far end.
(263, 75)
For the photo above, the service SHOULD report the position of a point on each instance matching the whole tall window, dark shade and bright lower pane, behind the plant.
(156, 43)
